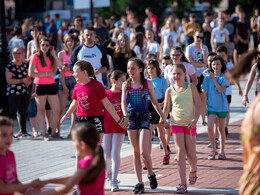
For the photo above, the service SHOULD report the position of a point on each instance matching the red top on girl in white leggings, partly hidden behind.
(111, 126)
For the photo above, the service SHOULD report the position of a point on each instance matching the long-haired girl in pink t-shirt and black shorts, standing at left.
(43, 68)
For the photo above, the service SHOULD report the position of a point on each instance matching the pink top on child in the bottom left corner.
(8, 169)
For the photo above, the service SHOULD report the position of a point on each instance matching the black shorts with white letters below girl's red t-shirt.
(98, 121)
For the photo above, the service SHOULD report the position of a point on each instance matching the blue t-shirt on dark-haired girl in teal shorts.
(217, 102)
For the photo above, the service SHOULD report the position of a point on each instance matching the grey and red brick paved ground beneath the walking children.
(38, 159)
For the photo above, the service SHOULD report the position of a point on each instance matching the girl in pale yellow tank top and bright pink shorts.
(185, 101)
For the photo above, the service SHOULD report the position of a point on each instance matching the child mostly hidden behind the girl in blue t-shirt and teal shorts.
(222, 51)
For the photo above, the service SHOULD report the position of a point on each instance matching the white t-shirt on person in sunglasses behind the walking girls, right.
(197, 56)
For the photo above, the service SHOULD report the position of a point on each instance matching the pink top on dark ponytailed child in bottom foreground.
(97, 186)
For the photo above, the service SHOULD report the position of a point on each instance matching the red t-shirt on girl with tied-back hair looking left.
(89, 98)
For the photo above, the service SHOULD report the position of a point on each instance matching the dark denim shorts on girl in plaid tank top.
(138, 120)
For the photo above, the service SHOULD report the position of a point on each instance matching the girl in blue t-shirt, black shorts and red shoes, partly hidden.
(160, 85)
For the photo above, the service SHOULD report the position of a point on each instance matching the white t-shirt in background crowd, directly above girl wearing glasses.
(170, 39)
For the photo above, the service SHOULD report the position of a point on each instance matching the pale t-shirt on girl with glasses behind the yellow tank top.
(168, 72)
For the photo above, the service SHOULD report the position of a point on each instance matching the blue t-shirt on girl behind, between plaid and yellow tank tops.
(159, 85)
